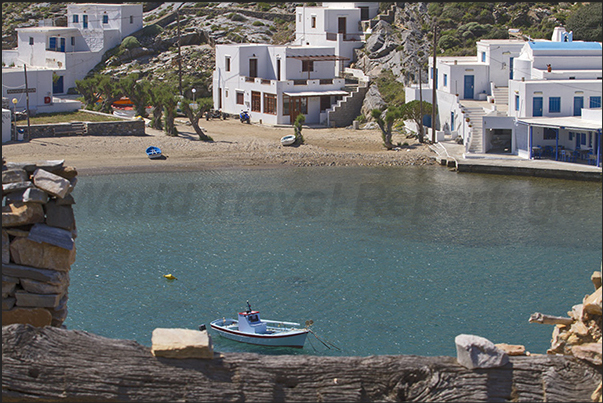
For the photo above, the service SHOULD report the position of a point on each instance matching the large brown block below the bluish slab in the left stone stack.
(41, 255)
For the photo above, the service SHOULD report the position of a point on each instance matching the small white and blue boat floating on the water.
(249, 328)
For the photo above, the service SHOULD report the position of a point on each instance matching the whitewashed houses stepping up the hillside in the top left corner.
(58, 56)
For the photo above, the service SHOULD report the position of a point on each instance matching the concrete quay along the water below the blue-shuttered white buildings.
(452, 155)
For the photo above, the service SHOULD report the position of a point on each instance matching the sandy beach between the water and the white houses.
(235, 145)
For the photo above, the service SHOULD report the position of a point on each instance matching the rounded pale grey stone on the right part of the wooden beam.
(478, 352)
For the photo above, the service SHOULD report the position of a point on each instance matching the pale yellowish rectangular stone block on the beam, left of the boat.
(181, 343)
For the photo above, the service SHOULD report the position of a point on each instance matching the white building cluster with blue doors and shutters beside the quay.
(496, 99)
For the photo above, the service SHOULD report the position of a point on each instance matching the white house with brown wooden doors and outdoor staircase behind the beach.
(275, 83)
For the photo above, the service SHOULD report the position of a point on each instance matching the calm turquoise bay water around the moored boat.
(383, 260)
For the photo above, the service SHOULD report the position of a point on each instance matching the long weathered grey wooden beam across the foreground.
(52, 364)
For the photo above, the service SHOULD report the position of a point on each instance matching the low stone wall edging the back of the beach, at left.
(118, 128)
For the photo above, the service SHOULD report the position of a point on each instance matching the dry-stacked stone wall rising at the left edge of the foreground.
(38, 247)
